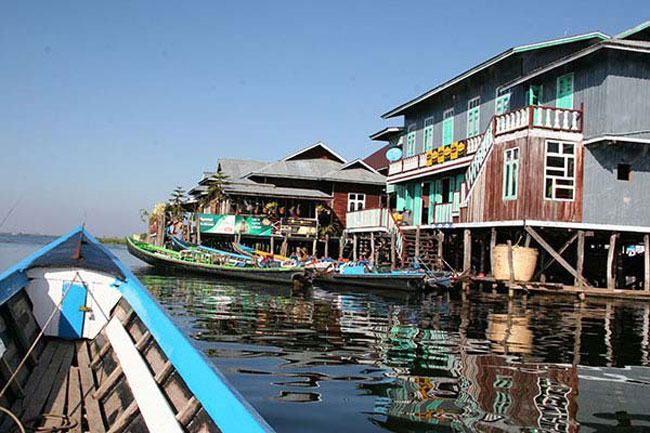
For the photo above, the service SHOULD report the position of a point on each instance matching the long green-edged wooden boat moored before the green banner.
(168, 259)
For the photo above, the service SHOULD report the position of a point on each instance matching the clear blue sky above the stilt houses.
(106, 106)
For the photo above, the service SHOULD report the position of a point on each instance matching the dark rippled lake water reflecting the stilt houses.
(330, 360)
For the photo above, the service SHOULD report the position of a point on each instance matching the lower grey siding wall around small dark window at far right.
(608, 200)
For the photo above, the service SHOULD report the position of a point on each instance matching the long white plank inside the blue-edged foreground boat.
(155, 410)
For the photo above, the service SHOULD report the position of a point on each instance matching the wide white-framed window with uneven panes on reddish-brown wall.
(559, 171)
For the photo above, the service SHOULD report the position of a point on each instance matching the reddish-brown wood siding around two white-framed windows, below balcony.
(486, 201)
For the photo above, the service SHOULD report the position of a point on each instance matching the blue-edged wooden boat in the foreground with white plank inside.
(84, 347)
